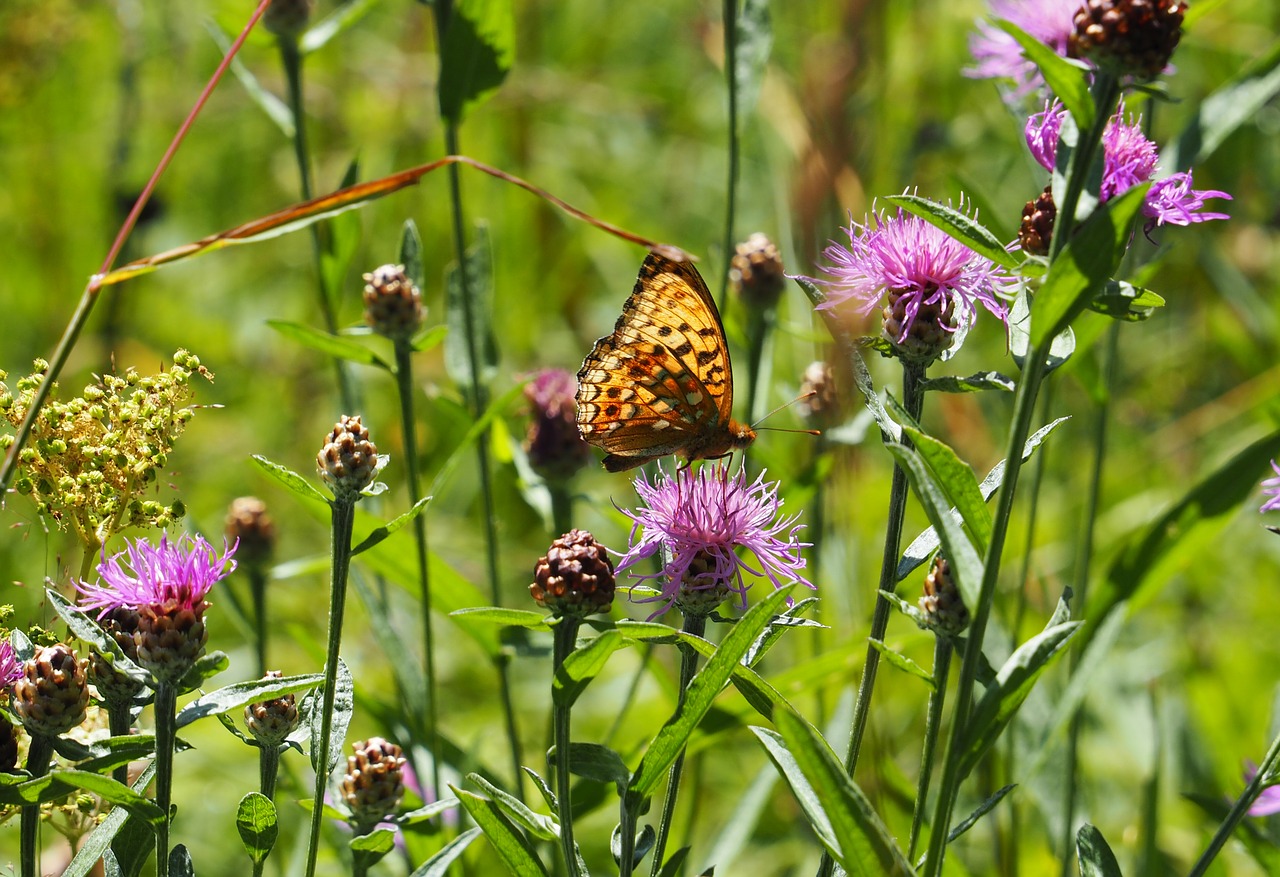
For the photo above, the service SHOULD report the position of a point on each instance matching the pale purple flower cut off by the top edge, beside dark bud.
(999, 57)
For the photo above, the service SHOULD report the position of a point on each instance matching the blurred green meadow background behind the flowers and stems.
(620, 111)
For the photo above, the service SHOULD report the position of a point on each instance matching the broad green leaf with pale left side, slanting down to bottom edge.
(838, 810)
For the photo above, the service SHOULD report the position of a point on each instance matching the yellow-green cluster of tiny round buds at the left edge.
(92, 460)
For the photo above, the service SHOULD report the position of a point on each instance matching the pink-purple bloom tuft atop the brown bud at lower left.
(144, 574)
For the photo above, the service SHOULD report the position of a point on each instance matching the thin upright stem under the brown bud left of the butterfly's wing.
(405, 387)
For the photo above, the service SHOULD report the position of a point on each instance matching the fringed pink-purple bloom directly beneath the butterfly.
(707, 517)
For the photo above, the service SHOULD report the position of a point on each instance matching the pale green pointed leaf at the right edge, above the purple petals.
(1227, 111)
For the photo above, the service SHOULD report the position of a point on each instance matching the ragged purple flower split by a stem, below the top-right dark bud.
(1128, 159)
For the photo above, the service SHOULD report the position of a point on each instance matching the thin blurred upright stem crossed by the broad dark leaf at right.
(1081, 584)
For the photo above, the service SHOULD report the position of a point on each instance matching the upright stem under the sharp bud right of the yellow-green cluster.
(344, 522)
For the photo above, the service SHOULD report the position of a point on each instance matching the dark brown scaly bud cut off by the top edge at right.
(1128, 38)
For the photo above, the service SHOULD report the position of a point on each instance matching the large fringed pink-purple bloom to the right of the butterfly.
(917, 261)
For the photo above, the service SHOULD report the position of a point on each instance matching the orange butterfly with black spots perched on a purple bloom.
(662, 382)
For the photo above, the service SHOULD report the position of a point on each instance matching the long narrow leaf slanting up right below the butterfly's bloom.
(669, 743)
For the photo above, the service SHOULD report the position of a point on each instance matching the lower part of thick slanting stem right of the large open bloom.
(1025, 406)
